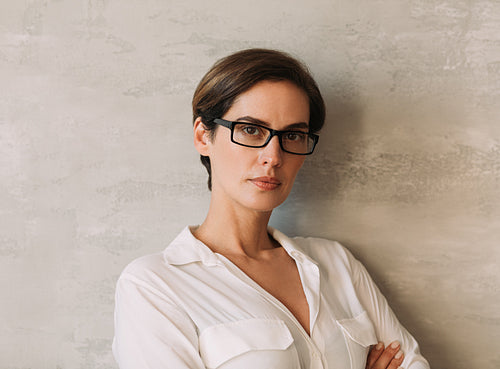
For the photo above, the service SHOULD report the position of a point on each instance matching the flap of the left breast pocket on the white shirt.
(222, 342)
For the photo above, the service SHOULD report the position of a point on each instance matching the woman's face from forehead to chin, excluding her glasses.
(259, 178)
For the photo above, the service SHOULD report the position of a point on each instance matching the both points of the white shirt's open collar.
(186, 248)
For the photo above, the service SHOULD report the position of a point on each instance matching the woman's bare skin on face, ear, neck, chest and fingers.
(248, 184)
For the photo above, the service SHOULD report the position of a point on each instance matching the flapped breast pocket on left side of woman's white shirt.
(249, 343)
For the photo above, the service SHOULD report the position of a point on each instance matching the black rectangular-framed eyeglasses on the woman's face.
(255, 135)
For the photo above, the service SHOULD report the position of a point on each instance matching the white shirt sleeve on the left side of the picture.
(151, 332)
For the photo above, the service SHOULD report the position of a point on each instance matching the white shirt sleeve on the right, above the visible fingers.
(387, 326)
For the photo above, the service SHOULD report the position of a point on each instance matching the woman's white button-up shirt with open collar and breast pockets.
(189, 307)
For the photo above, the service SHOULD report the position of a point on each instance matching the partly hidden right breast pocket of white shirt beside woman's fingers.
(359, 335)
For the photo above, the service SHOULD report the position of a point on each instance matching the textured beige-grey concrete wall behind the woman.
(97, 166)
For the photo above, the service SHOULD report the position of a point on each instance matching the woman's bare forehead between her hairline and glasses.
(275, 102)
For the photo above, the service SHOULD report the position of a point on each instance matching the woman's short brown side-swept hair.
(233, 75)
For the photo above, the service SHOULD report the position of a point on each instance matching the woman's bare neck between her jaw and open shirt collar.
(230, 229)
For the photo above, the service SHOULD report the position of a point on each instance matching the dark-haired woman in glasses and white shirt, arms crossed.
(234, 292)
